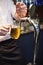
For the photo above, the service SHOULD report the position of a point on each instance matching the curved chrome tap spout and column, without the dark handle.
(36, 35)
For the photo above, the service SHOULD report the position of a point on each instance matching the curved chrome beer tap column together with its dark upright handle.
(36, 27)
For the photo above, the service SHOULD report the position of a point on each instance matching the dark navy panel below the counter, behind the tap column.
(26, 42)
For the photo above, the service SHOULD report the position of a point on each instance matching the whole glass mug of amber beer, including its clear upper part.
(15, 30)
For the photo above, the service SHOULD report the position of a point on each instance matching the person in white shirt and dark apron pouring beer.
(9, 48)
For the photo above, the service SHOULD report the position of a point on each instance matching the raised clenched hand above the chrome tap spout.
(21, 9)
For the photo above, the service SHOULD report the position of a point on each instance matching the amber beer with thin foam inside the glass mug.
(15, 32)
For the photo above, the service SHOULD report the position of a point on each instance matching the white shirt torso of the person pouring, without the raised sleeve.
(5, 16)
